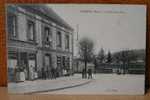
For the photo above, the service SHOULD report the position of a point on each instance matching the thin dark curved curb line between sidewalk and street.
(62, 88)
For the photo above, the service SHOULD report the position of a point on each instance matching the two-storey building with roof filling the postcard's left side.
(38, 39)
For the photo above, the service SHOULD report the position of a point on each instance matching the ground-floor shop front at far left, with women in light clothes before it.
(21, 65)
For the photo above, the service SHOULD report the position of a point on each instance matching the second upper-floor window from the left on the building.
(31, 30)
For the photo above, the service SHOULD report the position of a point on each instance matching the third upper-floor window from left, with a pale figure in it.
(47, 36)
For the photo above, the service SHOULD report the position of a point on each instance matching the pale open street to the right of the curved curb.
(108, 84)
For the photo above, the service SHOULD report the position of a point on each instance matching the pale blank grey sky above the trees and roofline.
(112, 27)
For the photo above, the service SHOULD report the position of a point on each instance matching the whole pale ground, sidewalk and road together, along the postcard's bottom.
(100, 84)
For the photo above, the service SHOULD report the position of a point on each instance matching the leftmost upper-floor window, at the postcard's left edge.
(12, 25)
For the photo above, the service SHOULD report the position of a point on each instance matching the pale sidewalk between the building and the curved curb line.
(37, 86)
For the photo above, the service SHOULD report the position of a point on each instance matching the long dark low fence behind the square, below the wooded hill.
(121, 68)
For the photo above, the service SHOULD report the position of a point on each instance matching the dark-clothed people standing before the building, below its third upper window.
(49, 73)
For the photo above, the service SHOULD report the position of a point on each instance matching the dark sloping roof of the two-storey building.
(46, 11)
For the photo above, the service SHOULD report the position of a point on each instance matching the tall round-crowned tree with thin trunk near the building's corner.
(86, 49)
